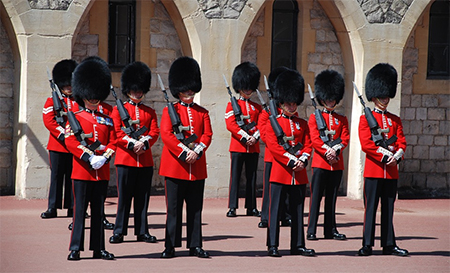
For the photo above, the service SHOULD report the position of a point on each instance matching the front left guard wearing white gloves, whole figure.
(91, 84)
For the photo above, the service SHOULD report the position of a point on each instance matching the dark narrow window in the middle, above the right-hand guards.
(284, 34)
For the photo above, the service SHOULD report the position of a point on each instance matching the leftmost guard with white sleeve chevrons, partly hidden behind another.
(60, 158)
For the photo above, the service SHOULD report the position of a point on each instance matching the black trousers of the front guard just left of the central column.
(177, 192)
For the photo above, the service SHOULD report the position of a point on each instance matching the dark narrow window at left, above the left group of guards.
(121, 36)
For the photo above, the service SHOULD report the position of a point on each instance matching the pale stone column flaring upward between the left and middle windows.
(216, 43)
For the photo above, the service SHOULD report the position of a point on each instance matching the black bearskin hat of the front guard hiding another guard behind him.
(290, 87)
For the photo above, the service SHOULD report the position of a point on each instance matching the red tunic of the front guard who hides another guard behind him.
(281, 172)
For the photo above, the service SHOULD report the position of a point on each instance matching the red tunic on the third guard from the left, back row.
(147, 117)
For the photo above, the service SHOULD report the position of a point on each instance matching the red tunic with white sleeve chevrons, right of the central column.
(248, 108)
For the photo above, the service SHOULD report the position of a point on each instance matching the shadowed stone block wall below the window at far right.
(426, 123)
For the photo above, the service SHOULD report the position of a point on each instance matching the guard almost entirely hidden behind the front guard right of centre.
(263, 121)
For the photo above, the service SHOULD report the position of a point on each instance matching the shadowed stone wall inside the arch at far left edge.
(6, 114)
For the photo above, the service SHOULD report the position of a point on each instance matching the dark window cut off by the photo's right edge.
(439, 41)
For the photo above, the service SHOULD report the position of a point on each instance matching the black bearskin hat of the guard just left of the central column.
(184, 75)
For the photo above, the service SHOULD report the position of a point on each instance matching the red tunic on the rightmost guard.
(374, 167)
